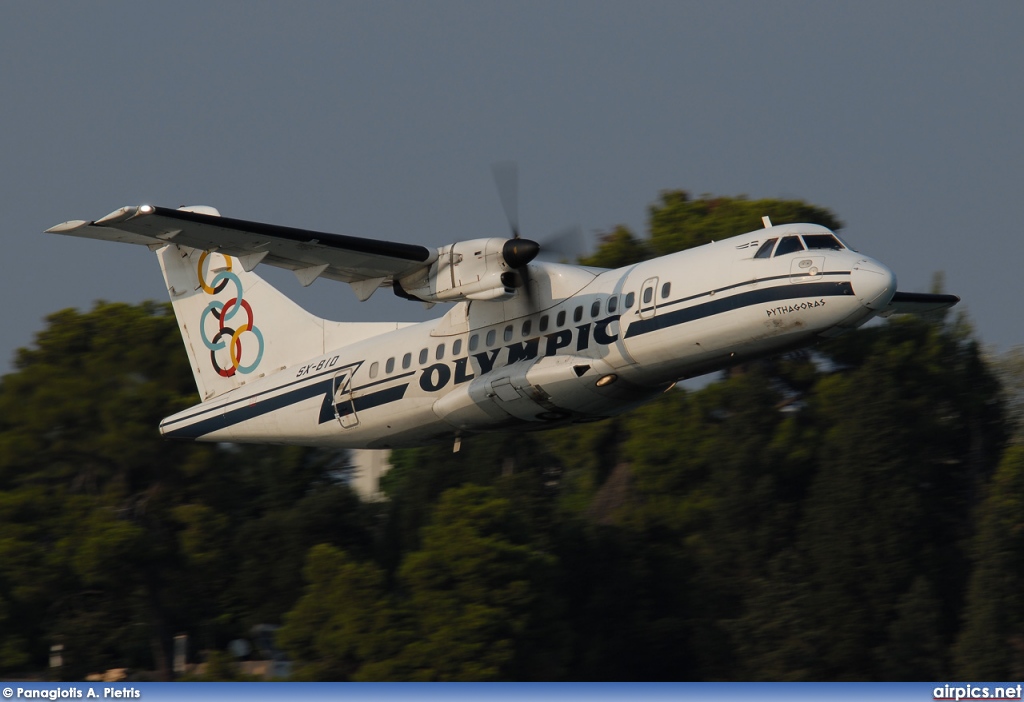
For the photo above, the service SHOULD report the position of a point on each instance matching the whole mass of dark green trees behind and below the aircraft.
(846, 513)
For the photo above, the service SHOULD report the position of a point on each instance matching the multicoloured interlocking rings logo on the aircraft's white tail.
(230, 337)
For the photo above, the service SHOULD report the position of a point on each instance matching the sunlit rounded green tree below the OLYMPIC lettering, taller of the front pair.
(476, 586)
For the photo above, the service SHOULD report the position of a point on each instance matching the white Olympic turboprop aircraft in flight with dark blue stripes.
(527, 344)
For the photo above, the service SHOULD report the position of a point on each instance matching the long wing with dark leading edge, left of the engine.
(364, 262)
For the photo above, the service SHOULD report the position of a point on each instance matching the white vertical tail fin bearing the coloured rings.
(238, 328)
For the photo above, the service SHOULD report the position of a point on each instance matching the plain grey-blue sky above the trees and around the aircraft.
(381, 119)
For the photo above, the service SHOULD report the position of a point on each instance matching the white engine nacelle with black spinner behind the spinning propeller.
(478, 270)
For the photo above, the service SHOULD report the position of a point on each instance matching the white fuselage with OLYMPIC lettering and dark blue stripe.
(601, 342)
